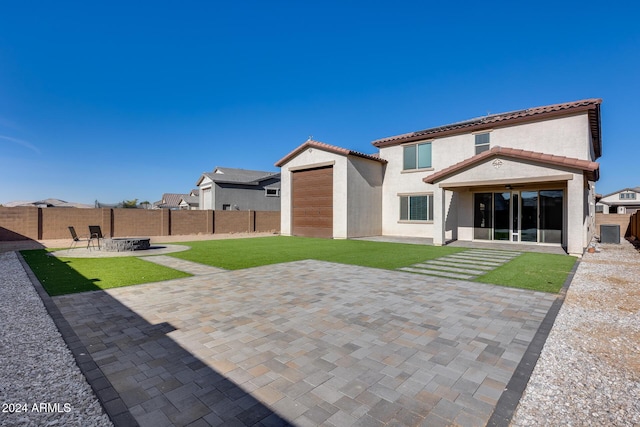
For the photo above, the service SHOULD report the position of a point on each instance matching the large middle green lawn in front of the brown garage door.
(237, 254)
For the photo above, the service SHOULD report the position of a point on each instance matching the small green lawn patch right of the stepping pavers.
(531, 270)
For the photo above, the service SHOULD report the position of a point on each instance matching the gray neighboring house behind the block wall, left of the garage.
(239, 189)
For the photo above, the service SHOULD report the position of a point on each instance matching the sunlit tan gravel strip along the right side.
(588, 373)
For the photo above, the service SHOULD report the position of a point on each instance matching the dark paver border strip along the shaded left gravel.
(90, 370)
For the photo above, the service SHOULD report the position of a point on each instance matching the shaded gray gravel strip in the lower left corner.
(40, 383)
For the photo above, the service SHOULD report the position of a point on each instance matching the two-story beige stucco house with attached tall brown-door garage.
(524, 177)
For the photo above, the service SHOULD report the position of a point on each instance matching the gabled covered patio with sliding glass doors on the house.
(515, 196)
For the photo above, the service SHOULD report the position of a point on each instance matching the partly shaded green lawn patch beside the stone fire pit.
(61, 276)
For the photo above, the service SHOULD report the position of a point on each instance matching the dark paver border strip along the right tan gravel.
(510, 397)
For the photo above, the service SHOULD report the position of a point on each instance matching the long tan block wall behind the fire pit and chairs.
(31, 223)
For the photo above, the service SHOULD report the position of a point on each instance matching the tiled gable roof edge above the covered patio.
(592, 168)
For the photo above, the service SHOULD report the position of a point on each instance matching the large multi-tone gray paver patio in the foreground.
(307, 343)
